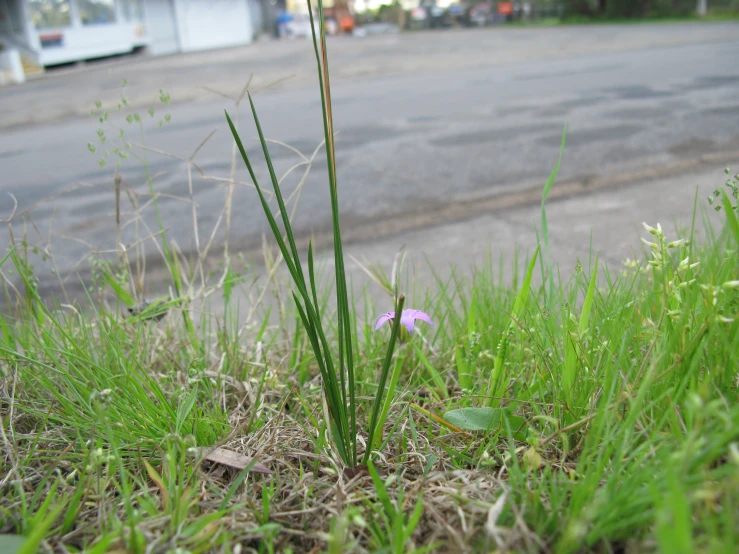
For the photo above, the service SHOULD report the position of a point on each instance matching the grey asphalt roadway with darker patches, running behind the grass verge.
(404, 141)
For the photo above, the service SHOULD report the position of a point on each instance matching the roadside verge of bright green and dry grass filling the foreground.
(590, 412)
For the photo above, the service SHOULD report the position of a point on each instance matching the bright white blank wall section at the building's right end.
(213, 24)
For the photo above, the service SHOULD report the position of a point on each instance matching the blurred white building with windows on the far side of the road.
(51, 32)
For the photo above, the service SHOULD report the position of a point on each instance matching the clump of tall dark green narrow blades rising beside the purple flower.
(337, 371)
